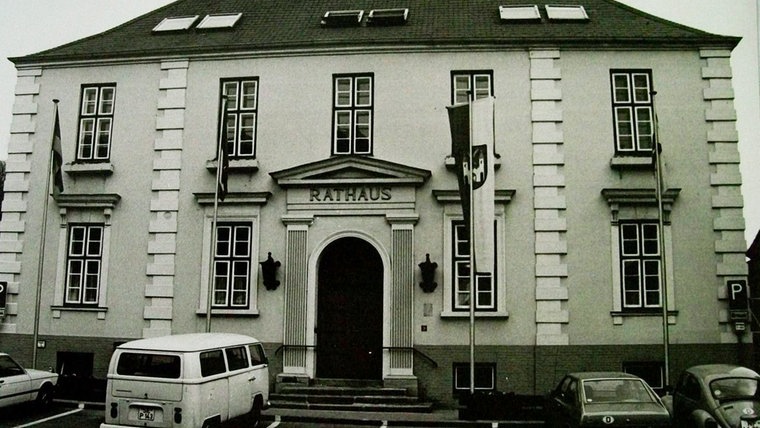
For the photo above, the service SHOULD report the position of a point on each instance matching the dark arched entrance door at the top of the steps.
(350, 311)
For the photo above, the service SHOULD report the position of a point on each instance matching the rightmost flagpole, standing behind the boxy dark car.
(661, 224)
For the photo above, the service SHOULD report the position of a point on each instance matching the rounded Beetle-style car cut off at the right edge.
(717, 395)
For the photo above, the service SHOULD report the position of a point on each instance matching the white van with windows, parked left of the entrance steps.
(186, 380)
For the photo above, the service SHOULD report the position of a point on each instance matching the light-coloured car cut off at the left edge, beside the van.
(20, 385)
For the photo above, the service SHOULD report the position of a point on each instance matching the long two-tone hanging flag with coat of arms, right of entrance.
(472, 126)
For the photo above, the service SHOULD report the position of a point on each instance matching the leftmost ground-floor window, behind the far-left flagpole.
(84, 258)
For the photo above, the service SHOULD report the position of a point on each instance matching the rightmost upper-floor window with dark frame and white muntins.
(633, 112)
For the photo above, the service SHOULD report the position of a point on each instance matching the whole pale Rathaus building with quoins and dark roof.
(341, 170)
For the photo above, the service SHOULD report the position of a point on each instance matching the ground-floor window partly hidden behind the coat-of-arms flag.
(485, 292)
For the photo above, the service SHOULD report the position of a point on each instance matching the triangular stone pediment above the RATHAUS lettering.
(350, 170)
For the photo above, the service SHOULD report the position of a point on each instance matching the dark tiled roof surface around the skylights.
(287, 24)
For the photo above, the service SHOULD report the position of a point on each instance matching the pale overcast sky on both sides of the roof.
(28, 26)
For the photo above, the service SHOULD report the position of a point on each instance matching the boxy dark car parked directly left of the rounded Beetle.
(604, 399)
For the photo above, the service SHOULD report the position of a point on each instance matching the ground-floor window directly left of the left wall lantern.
(232, 266)
